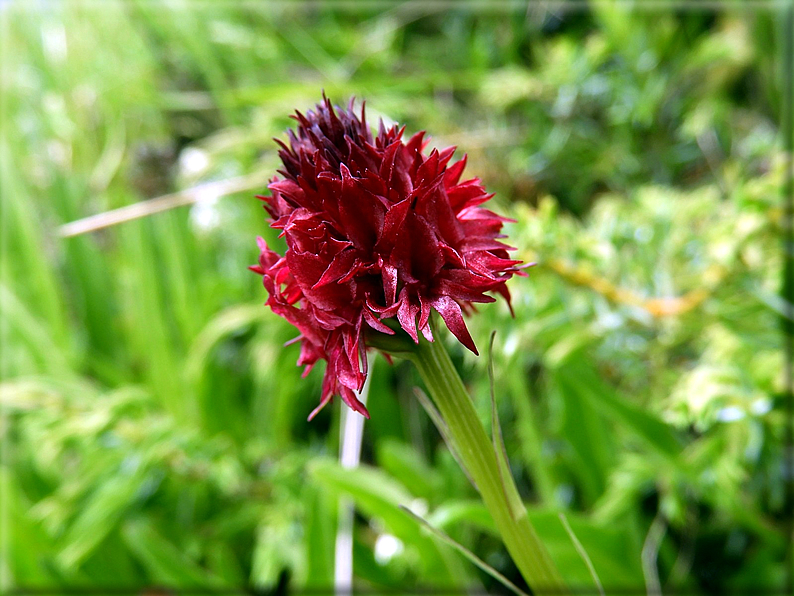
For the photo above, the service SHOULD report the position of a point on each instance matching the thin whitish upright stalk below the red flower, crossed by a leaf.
(351, 432)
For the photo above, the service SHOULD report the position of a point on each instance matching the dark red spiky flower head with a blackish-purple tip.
(375, 229)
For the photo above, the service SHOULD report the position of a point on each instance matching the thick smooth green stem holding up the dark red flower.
(479, 457)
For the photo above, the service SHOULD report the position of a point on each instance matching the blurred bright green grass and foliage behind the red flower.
(155, 428)
